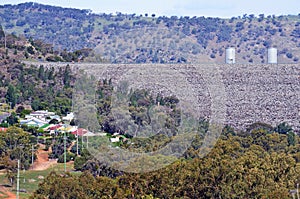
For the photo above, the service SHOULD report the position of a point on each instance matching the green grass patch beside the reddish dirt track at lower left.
(29, 180)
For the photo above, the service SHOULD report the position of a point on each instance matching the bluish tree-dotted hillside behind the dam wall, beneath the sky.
(128, 38)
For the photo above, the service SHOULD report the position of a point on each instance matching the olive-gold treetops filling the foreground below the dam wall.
(260, 164)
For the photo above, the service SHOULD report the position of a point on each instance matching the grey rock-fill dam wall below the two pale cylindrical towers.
(243, 93)
